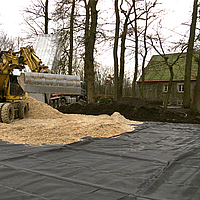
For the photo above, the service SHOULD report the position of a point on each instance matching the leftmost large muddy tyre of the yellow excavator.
(7, 113)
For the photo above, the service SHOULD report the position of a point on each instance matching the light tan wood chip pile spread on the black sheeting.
(46, 125)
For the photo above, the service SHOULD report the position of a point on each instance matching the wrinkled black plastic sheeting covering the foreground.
(156, 161)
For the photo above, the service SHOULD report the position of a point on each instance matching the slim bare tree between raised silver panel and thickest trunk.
(69, 17)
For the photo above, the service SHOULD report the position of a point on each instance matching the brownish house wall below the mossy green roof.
(154, 91)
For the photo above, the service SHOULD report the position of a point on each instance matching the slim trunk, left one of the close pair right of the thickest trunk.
(115, 52)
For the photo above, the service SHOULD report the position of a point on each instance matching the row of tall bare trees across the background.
(131, 33)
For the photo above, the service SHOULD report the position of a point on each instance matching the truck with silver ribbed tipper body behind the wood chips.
(42, 86)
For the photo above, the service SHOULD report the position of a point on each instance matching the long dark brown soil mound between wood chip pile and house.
(135, 109)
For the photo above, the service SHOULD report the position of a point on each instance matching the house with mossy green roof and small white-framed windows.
(157, 76)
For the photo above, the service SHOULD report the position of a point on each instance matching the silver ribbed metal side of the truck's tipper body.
(46, 83)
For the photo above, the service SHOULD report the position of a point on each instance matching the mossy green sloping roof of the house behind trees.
(157, 70)
